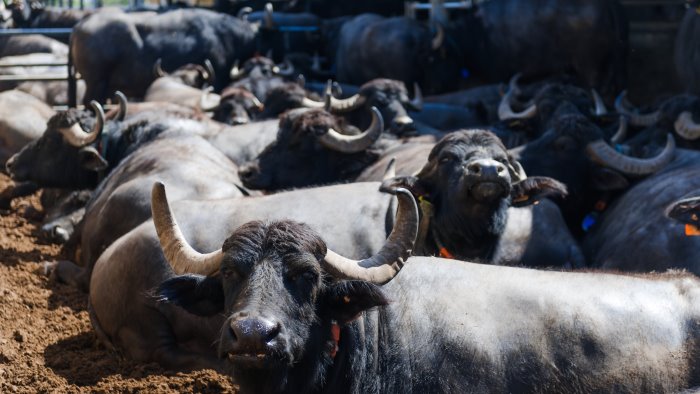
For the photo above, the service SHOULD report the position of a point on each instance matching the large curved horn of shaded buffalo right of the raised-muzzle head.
(600, 152)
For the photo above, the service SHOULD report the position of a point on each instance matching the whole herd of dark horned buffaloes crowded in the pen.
(329, 196)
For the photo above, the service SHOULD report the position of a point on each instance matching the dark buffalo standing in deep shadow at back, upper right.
(542, 37)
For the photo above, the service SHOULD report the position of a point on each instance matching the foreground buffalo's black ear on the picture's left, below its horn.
(197, 294)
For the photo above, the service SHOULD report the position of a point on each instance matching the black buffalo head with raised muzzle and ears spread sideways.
(470, 180)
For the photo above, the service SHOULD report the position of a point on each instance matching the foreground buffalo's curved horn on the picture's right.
(384, 265)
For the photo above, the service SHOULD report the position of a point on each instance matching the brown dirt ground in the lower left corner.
(46, 341)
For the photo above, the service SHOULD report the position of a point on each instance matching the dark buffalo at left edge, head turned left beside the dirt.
(67, 156)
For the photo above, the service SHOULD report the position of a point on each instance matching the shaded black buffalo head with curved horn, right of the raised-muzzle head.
(575, 150)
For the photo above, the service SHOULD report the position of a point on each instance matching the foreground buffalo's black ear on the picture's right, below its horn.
(345, 300)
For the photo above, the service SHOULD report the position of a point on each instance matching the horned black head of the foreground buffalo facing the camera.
(280, 289)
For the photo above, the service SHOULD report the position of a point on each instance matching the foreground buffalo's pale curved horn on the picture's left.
(181, 256)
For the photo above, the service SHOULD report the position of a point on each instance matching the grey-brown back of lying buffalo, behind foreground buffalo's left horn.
(193, 167)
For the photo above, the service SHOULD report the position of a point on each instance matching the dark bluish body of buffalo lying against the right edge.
(659, 242)
